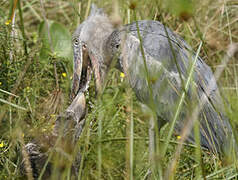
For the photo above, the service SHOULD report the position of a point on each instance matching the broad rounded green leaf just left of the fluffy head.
(56, 40)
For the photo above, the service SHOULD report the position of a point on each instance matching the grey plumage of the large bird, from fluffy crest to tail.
(162, 50)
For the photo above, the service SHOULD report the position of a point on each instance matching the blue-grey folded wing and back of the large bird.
(169, 58)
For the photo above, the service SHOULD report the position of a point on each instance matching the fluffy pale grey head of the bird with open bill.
(89, 41)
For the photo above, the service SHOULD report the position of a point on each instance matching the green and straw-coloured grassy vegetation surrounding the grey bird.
(36, 74)
